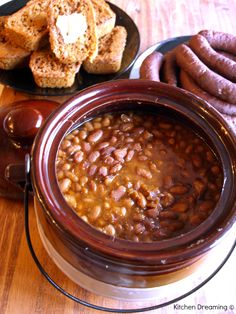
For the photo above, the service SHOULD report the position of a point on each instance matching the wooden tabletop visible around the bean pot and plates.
(22, 288)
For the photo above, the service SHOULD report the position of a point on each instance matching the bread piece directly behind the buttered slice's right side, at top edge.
(105, 17)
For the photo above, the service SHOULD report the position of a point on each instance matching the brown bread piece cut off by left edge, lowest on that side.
(12, 57)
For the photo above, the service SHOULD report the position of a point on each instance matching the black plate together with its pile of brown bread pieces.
(58, 47)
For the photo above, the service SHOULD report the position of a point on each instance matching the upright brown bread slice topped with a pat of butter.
(72, 30)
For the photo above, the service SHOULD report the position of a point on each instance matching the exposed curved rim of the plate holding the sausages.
(163, 47)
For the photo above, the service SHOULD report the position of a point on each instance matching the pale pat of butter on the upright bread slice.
(71, 27)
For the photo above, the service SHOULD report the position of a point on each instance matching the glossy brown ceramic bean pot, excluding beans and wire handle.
(114, 262)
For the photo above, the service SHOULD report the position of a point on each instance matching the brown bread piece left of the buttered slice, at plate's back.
(27, 28)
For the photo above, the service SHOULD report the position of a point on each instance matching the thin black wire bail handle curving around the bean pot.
(82, 302)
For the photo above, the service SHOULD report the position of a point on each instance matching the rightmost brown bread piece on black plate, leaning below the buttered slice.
(110, 52)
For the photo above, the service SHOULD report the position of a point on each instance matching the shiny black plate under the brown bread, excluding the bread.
(22, 79)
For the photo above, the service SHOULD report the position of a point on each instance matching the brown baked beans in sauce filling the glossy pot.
(138, 177)
